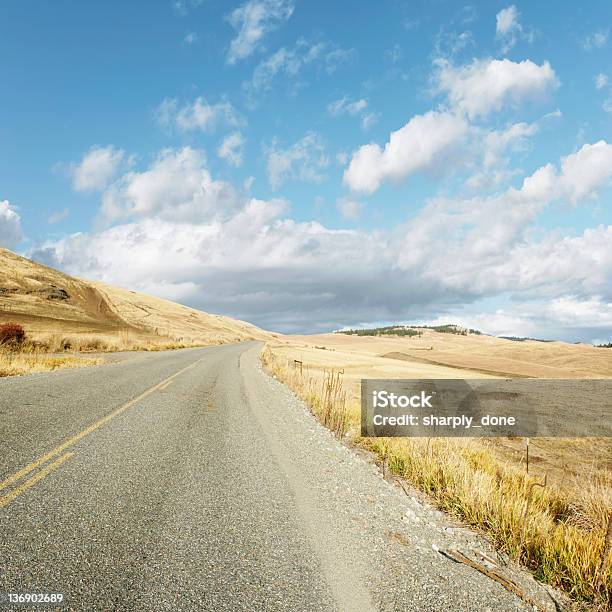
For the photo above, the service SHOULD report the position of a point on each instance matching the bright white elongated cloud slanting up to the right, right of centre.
(424, 143)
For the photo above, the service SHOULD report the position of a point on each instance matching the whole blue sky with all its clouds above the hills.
(306, 167)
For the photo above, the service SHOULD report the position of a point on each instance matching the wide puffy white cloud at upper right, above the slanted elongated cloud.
(488, 85)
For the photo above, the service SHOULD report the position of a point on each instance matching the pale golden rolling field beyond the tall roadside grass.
(438, 355)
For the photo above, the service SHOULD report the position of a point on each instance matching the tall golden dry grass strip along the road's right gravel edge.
(558, 533)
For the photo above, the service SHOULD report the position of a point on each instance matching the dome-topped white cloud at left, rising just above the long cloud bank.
(177, 186)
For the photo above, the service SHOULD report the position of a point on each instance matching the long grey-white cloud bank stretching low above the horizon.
(293, 276)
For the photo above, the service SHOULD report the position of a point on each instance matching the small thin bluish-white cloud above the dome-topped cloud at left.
(197, 115)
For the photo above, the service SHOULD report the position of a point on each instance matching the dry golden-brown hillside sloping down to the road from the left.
(48, 302)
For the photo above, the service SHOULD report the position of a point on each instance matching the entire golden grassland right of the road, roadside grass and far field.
(557, 530)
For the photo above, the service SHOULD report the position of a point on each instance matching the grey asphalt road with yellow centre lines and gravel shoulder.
(191, 480)
